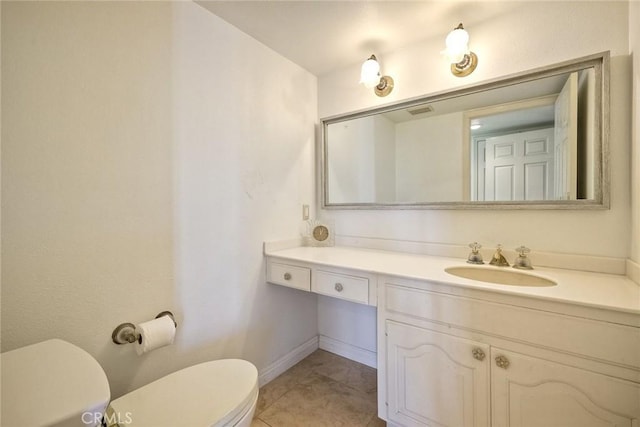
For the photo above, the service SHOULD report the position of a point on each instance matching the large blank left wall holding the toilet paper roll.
(149, 149)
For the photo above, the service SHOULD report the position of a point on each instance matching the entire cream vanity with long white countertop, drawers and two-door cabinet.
(457, 352)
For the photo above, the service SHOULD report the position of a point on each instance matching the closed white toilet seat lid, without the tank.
(208, 394)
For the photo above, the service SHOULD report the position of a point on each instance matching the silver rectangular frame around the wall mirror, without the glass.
(601, 64)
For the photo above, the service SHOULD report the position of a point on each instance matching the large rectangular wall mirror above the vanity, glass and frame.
(535, 140)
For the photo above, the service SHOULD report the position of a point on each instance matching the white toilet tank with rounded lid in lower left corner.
(52, 383)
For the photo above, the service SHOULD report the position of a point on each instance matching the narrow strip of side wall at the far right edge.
(634, 48)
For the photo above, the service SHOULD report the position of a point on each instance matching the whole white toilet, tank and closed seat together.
(55, 383)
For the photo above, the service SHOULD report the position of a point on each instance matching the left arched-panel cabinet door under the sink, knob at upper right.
(435, 379)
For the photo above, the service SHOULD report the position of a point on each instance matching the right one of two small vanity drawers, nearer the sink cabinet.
(344, 286)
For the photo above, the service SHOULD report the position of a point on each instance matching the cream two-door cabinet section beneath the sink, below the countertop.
(462, 360)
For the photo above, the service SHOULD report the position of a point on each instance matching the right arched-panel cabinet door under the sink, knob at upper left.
(532, 392)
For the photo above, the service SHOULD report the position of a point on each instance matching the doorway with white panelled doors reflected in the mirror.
(531, 165)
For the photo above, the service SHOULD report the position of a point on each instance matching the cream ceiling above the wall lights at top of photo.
(323, 35)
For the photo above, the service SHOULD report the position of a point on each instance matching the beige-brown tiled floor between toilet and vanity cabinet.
(323, 390)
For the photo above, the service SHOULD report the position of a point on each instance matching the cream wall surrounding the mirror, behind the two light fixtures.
(514, 37)
